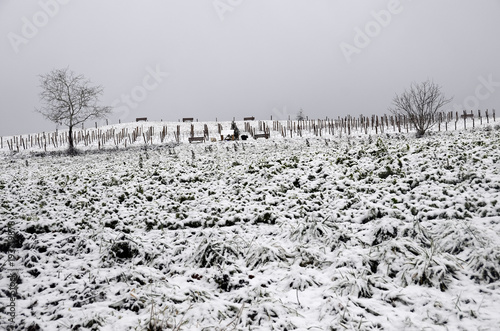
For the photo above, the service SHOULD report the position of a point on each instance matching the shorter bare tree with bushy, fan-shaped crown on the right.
(421, 104)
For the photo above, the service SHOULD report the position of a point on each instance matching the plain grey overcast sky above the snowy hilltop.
(233, 58)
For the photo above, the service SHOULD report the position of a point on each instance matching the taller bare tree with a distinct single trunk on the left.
(69, 99)
